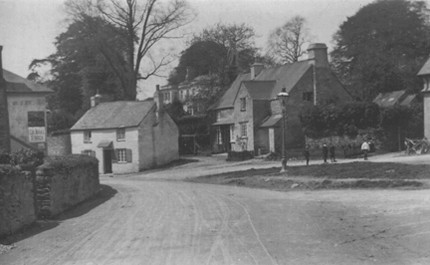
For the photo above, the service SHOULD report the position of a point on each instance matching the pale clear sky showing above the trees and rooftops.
(28, 27)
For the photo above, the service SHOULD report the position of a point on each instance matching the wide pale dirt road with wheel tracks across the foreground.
(141, 220)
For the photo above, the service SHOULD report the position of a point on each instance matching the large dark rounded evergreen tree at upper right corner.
(382, 47)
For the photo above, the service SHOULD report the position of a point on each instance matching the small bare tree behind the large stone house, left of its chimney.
(286, 42)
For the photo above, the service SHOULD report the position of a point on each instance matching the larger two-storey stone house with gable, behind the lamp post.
(248, 115)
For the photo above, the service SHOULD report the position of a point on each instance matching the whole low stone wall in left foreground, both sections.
(56, 186)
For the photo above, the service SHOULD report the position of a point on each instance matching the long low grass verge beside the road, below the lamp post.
(359, 175)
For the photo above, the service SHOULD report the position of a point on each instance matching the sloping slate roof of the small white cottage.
(111, 115)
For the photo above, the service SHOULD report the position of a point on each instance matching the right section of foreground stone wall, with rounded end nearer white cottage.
(63, 183)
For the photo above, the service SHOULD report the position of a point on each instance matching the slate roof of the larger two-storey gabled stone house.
(284, 76)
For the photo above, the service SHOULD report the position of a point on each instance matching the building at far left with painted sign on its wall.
(26, 105)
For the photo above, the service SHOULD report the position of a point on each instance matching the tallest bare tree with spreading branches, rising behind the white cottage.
(146, 24)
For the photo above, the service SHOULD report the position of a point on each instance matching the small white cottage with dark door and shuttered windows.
(126, 136)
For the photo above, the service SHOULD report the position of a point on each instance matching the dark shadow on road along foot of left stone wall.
(106, 192)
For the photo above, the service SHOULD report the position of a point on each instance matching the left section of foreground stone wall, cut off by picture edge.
(17, 207)
